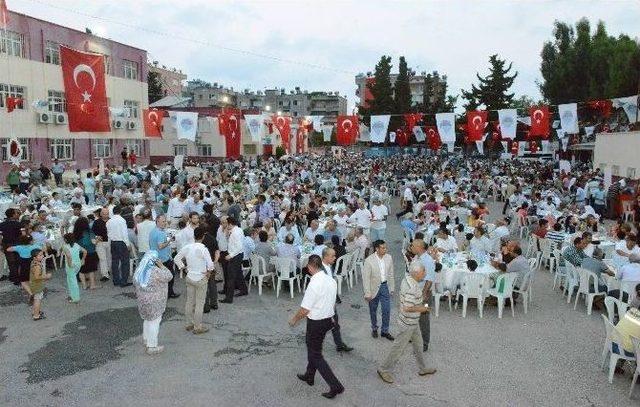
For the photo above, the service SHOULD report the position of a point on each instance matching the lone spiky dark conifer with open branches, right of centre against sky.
(492, 90)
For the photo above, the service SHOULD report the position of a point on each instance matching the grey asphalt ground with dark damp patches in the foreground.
(91, 354)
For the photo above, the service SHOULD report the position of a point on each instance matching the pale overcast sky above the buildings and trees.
(343, 37)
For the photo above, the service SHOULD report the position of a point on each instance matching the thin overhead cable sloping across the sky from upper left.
(198, 41)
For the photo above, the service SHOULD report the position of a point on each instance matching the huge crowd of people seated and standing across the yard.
(142, 226)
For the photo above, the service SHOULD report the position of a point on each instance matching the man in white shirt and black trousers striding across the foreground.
(318, 307)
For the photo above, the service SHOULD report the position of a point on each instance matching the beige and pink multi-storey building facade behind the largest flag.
(30, 69)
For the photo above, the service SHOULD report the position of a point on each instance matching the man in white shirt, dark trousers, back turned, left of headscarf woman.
(120, 245)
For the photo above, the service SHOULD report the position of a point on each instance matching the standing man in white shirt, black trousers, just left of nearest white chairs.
(235, 248)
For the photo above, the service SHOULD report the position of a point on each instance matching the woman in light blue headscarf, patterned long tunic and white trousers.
(151, 281)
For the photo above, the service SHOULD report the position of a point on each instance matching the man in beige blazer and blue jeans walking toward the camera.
(378, 284)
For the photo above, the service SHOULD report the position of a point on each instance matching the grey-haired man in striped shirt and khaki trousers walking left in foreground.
(411, 306)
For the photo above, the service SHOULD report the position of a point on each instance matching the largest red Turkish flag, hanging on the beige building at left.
(85, 90)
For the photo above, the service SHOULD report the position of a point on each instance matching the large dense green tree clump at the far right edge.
(578, 66)
